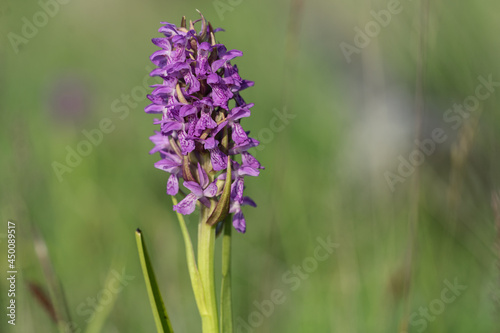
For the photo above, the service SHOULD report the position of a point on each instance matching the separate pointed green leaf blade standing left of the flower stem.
(159, 312)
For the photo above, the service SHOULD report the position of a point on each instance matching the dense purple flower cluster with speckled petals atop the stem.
(201, 134)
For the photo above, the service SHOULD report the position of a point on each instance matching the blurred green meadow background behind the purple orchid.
(354, 118)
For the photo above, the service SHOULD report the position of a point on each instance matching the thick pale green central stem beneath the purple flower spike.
(206, 246)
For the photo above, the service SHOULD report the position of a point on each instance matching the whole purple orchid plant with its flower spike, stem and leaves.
(202, 142)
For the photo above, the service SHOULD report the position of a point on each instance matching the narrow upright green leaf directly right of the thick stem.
(226, 314)
